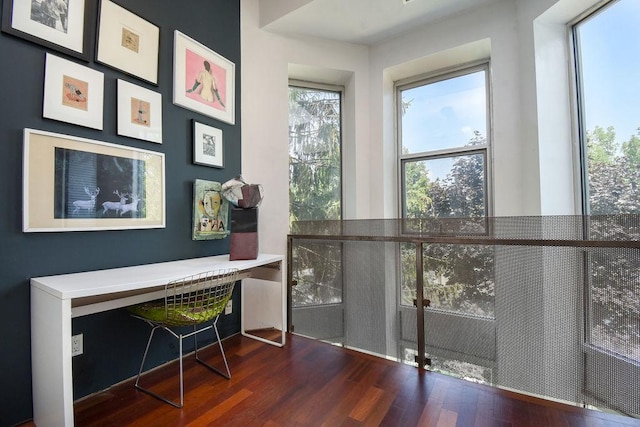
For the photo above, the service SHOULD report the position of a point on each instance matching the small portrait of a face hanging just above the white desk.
(210, 211)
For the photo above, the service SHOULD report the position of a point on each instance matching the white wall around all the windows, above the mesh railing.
(533, 155)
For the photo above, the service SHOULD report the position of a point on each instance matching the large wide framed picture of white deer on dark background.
(77, 184)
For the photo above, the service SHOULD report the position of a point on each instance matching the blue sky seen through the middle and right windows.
(445, 114)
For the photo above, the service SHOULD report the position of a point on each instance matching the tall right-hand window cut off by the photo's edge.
(606, 67)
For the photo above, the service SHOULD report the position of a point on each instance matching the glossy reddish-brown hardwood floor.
(308, 383)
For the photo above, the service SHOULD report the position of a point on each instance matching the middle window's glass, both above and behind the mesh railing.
(443, 163)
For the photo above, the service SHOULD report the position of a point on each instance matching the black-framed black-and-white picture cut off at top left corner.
(81, 35)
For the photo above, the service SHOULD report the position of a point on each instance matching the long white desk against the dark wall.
(55, 300)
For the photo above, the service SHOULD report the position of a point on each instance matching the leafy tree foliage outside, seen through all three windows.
(457, 278)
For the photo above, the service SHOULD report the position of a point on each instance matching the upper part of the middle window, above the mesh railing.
(443, 124)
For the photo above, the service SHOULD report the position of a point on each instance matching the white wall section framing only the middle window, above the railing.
(396, 59)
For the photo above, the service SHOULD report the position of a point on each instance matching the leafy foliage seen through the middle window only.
(457, 278)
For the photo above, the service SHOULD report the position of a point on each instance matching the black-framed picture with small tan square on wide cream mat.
(127, 42)
